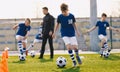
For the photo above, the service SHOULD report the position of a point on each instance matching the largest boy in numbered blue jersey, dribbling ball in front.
(68, 27)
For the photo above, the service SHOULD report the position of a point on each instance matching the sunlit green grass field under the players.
(91, 63)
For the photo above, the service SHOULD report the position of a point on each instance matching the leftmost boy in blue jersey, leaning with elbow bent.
(22, 34)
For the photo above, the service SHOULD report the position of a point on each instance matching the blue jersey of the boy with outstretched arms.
(102, 25)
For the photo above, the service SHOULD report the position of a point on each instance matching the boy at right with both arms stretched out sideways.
(102, 26)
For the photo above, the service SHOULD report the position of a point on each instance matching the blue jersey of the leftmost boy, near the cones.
(22, 30)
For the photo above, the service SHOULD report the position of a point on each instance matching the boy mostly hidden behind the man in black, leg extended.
(38, 38)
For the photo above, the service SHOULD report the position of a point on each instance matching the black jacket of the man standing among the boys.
(48, 24)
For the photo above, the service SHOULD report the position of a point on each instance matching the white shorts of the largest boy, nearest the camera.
(70, 40)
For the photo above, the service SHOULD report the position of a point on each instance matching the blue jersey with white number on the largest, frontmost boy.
(66, 22)
